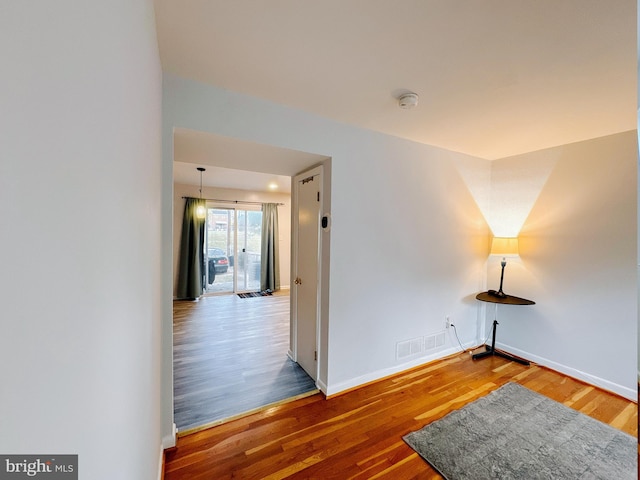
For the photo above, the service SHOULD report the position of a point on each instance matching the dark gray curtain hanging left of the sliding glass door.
(191, 273)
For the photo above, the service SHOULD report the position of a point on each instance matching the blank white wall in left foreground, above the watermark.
(80, 185)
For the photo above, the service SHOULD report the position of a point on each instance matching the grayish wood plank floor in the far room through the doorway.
(230, 357)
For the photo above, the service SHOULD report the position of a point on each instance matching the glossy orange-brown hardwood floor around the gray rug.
(358, 435)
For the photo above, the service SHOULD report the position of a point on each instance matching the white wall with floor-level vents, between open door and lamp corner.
(408, 247)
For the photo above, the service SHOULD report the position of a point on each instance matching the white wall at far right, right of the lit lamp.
(578, 262)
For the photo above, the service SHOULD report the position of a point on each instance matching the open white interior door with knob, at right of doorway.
(305, 288)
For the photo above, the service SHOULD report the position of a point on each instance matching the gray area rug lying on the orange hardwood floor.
(514, 433)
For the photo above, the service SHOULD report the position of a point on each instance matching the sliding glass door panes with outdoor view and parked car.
(230, 261)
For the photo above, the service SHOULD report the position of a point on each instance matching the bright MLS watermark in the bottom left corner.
(49, 467)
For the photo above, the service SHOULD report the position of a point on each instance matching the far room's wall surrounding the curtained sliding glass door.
(284, 220)
